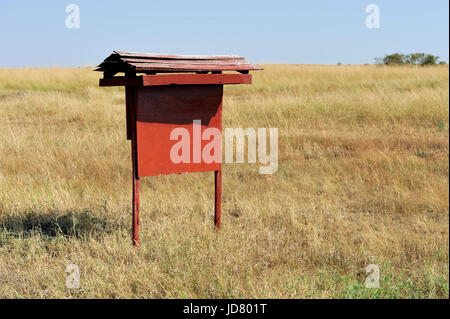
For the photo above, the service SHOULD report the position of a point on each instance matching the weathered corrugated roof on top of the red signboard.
(133, 62)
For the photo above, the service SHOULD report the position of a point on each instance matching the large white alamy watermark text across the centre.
(211, 152)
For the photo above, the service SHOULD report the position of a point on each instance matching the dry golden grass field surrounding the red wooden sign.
(363, 179)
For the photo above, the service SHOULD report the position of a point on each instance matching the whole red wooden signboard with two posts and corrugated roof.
(158, 103)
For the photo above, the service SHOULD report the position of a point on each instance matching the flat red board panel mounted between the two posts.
(160, 110)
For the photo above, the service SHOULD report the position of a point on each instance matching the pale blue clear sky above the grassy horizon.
(34, 33)
